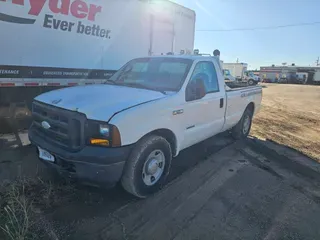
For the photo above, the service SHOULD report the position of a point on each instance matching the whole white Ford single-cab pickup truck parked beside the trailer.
(131, 127)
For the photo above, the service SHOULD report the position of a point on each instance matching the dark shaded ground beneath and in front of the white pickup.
(217, 189)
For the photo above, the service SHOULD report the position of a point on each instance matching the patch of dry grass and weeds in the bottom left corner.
(21, 206)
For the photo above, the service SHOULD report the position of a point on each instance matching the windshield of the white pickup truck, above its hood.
(162, 74)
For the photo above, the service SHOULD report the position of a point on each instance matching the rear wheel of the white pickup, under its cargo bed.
(240, 131)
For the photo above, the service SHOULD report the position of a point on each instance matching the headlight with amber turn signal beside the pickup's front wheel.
(102, 134)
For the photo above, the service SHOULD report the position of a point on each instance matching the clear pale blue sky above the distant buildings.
(300, 45)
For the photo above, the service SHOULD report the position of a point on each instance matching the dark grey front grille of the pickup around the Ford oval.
(66, 127)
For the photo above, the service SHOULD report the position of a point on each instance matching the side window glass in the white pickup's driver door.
(207, 72)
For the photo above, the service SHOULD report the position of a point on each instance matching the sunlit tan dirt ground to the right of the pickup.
(290, 115)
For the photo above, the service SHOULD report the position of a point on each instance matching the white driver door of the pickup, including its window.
(204, 117)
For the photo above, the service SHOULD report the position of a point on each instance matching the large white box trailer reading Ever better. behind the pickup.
(52, 44)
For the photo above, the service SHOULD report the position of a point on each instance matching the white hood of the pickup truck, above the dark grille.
(98, 102)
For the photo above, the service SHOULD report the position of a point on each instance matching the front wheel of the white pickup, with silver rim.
(136, 179)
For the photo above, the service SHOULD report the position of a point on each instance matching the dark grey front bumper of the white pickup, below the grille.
(91, 165)
